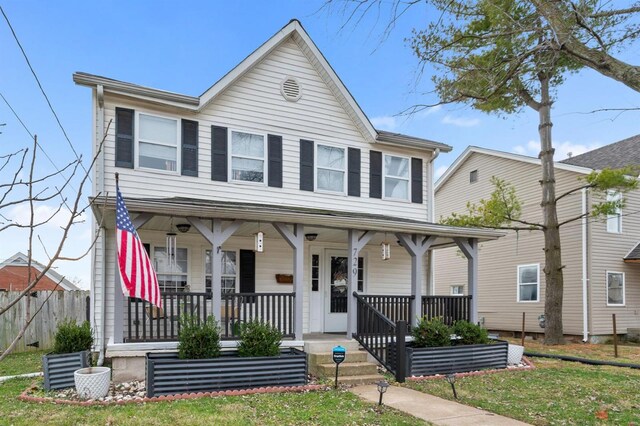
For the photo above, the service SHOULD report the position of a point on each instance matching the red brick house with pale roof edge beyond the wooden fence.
(14, 276)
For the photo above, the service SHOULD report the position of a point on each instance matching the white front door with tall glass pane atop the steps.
(336, 292)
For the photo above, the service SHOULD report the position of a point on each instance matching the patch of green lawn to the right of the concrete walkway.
(555, 393)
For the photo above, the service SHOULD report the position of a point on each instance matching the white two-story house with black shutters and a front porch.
(278, 151)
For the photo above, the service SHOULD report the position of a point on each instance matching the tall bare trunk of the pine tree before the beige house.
(553, 260)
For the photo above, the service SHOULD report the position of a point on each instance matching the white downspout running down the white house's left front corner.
(103, 240)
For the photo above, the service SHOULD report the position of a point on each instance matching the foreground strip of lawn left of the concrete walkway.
(312, 408)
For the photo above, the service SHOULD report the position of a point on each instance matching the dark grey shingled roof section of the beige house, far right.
(614, 156)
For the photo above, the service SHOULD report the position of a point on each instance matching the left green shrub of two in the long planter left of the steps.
(198, 339)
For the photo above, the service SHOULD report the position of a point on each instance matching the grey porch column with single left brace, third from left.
(295, 238)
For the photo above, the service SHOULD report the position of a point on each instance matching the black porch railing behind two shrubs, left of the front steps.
(146, 323)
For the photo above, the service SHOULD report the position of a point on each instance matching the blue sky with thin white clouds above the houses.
(185, 47)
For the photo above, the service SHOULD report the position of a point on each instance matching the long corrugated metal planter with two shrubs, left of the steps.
(201, 366)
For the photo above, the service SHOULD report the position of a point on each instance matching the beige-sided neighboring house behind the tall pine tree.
(600, 277)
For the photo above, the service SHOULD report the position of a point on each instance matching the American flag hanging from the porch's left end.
(137, 276)
